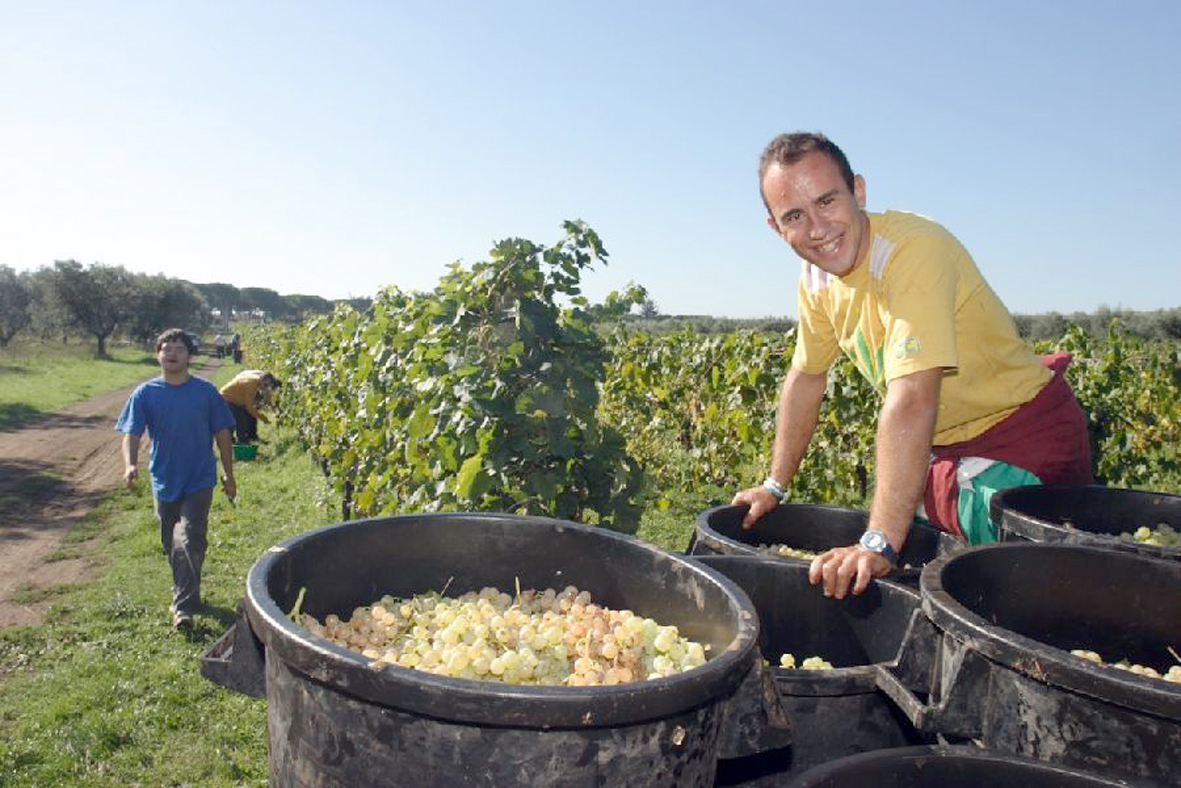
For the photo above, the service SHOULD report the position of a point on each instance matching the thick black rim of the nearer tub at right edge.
(1041, 661)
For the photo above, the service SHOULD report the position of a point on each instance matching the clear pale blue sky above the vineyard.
(336, 148)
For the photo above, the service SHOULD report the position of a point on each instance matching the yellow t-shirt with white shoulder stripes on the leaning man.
(917, 303)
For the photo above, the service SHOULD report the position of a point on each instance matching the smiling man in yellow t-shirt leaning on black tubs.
(968, 408)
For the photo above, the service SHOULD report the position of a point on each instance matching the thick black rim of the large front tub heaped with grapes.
(485, 702)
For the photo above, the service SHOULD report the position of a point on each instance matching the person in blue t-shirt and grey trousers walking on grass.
(184, 415)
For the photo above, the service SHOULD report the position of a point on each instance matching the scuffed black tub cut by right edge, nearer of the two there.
(1002, 673)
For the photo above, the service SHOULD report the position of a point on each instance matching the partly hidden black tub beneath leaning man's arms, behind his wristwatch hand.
(812, 527)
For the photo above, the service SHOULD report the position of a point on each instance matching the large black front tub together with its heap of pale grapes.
(486, 649)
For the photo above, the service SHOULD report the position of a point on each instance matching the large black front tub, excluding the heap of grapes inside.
(335, 721)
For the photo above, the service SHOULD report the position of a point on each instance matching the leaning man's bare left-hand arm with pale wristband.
(795, 424)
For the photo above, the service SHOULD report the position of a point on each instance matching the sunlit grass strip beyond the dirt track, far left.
(40, 379)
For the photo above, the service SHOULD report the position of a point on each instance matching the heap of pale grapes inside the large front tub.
(544, 639)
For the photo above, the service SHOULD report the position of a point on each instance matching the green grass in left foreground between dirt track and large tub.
(106, 693)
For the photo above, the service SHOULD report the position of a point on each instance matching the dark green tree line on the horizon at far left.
(105, 302)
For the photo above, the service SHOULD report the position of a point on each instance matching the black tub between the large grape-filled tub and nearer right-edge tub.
(833, 713)
